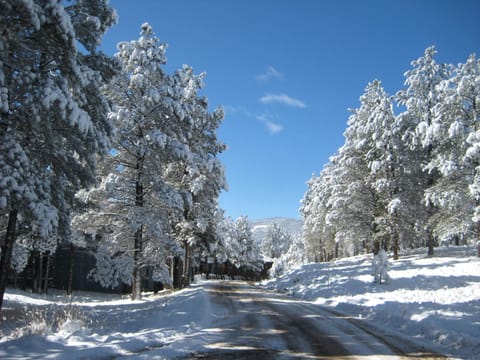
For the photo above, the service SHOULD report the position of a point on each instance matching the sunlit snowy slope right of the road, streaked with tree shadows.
(435, 299)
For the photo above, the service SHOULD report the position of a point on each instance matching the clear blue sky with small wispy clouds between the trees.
(286, 72)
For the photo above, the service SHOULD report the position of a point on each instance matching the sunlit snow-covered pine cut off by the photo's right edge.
(456, 155)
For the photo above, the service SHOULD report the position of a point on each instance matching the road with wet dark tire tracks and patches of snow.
(251, 323)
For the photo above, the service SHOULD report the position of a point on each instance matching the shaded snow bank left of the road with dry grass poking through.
(93, 325)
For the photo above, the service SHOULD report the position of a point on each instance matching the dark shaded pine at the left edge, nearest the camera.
(53, 117)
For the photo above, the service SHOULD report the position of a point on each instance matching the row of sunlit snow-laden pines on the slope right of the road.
(403, 180)
